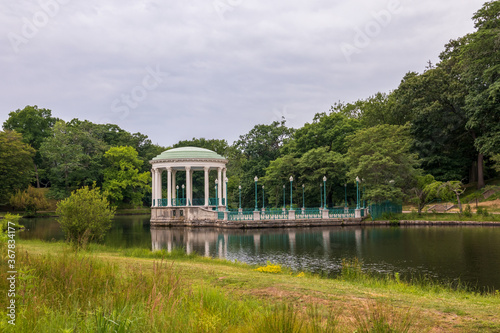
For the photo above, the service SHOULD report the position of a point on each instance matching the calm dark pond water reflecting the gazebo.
(471, 254)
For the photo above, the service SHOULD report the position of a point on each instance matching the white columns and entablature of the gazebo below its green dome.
(189, 165)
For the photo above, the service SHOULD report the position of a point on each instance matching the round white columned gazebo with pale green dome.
(188, 160)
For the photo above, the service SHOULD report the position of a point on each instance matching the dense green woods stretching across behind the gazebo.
(438, 131)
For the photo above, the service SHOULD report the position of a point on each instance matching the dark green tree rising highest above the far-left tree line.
(35, 126)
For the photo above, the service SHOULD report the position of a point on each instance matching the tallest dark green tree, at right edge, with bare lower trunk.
(474, 60)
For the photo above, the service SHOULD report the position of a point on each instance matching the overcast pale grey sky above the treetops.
(175, 70)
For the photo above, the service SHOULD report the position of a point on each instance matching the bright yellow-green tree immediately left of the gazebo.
(122, 180)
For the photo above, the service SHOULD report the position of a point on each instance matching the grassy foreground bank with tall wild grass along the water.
(110, 290)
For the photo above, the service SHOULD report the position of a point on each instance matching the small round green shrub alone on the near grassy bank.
(85, 216)
